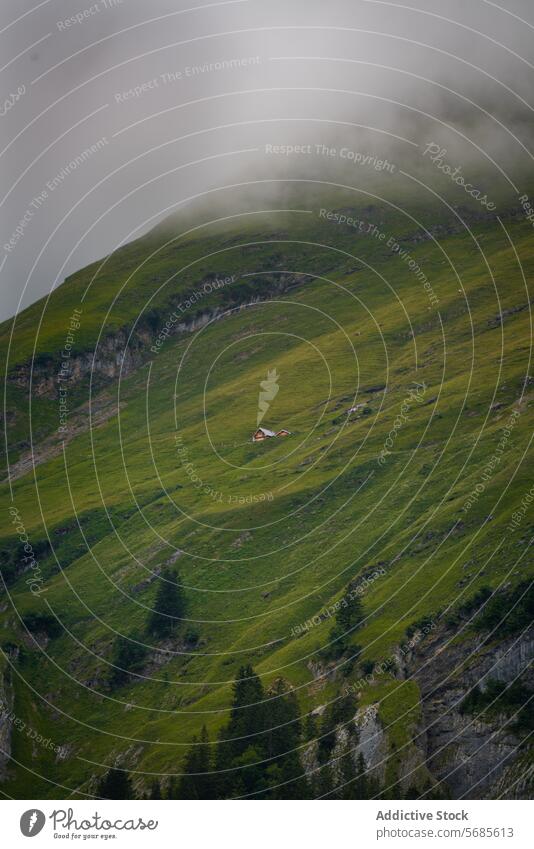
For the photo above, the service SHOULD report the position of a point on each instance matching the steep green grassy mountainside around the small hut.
(264, 536)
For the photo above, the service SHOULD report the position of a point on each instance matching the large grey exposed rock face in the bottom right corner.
(474, 756)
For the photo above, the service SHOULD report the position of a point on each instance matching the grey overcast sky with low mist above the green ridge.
(115, 113)
